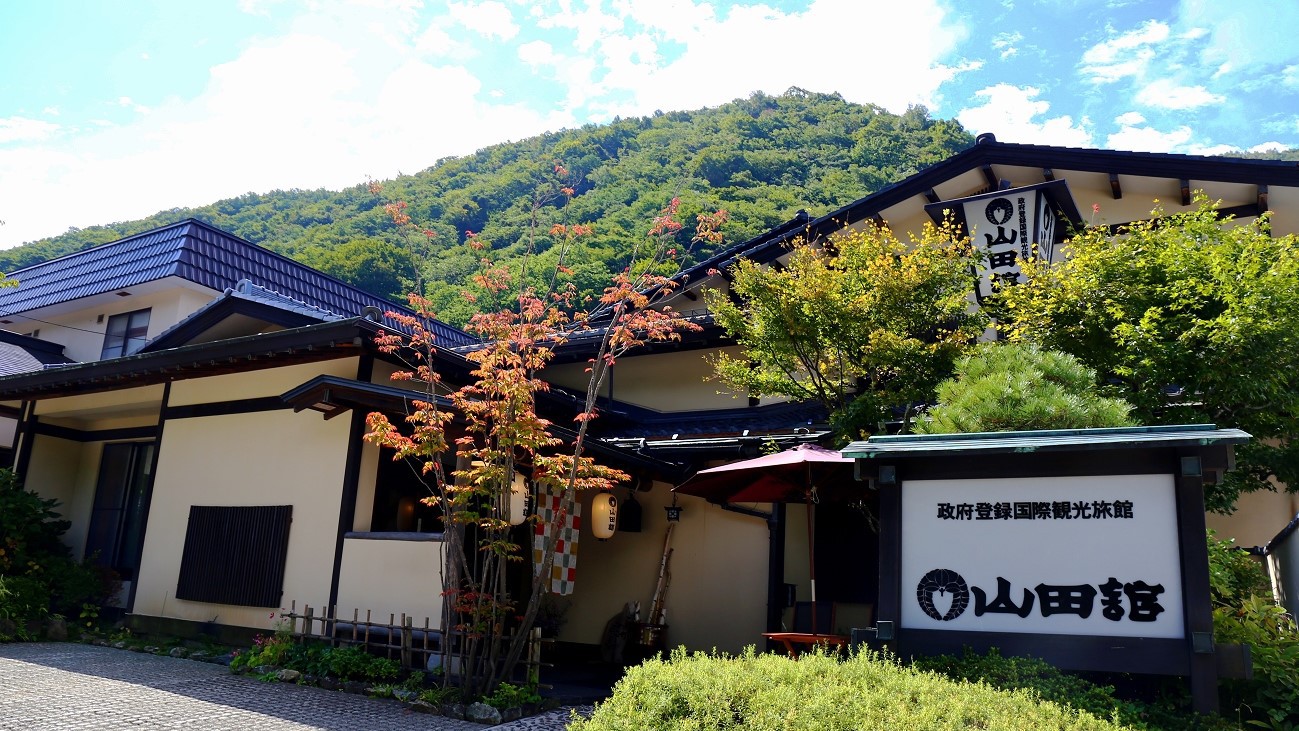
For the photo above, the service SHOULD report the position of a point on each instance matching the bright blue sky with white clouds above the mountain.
(112, 111)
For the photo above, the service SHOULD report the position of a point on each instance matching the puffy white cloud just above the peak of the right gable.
(1011, 114)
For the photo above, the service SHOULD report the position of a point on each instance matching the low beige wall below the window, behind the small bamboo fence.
(389, 578)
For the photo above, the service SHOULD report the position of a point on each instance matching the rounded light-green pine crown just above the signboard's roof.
(1013, 386)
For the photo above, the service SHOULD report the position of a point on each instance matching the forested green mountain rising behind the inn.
(762, 159)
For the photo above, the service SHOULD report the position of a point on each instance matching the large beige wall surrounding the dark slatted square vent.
(259, 459)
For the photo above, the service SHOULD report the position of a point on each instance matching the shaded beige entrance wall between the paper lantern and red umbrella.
(718, 597)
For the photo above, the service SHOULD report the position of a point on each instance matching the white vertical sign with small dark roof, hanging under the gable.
(1010, 227)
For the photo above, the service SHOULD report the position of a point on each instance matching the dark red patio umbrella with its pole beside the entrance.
(796, 476)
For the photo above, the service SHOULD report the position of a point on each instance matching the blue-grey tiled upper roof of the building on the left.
(201, 254)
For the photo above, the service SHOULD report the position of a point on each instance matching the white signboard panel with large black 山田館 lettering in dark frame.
(1062, 555)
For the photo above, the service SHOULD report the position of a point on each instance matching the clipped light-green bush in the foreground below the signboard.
(762, 693)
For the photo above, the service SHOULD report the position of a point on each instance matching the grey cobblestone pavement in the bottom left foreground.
(59, 686)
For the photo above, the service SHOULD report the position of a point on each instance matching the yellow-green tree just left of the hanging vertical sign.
(861, 324)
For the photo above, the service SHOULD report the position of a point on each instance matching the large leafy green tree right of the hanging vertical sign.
(1193, 320)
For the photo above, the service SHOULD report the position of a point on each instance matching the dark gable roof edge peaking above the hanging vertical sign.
(987, 154)
